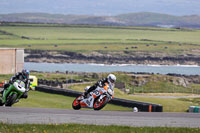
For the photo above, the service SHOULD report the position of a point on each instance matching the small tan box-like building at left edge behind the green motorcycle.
(11, 60)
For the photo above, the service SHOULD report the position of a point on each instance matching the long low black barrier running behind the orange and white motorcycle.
(142, 106)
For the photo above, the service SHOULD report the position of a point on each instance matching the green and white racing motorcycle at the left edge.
(13, 93)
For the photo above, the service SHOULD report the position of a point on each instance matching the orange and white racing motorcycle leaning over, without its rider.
(96, 99)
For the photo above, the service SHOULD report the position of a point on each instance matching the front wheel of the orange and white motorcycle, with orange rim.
(99, 104)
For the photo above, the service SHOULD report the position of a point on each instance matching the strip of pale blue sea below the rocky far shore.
(102, 68)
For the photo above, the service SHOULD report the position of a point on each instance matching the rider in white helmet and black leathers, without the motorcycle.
(110, 79)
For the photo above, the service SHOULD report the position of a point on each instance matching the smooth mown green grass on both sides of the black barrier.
(45, 100)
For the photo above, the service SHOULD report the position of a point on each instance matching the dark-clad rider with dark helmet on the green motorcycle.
(23, 76)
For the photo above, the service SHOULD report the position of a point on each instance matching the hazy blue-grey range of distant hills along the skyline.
(131, 19)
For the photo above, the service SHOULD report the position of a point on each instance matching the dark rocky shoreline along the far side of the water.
(109, 58)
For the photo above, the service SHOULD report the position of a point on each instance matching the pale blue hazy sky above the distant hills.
(101, 7)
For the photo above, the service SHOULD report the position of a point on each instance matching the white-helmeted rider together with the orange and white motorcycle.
(96, 96)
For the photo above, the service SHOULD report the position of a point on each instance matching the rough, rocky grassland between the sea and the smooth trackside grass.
(136, 83)
